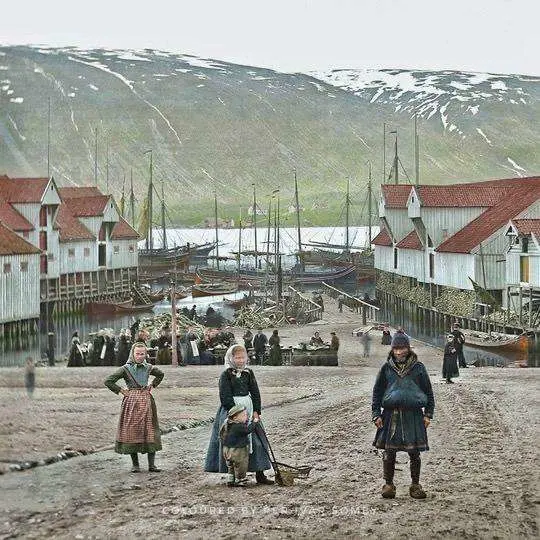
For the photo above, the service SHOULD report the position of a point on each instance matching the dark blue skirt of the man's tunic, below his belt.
(403, 429)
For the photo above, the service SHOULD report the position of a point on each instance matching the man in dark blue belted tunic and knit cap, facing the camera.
(402, 408)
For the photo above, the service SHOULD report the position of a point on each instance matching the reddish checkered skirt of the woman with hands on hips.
(138, 427)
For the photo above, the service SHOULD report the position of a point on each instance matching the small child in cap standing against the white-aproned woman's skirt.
(234, 439)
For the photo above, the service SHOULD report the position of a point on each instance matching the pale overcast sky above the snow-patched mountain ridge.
(498, 36)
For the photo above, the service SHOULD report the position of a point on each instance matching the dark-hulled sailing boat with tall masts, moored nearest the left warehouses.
(158, 261)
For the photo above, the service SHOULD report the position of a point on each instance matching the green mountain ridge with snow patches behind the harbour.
(217, 127)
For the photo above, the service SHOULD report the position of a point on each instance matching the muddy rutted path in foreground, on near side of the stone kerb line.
(481, 474)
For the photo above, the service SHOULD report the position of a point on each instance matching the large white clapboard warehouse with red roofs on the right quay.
(446, 236)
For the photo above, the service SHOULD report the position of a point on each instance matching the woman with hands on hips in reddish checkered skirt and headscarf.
(138, 428)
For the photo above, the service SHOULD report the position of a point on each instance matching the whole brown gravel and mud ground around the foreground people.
(481, 473)
